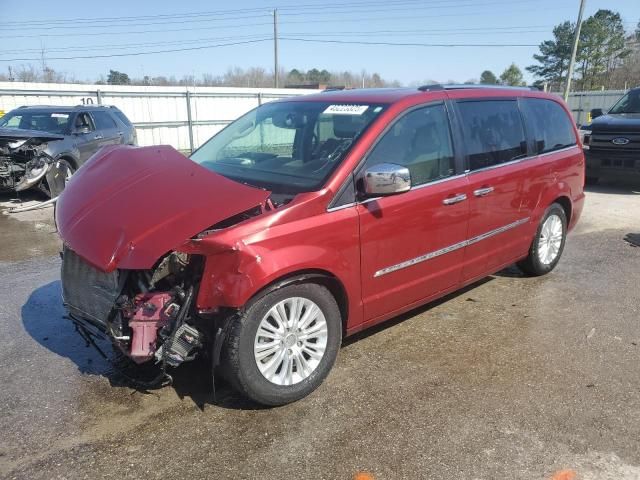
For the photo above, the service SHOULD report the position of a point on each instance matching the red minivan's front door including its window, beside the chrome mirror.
(412, 244)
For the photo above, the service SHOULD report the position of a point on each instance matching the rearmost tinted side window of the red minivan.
(549, 125)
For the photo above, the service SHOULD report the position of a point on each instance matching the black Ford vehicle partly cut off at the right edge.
(612, 141)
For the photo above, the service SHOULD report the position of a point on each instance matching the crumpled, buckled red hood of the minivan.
(128, 206)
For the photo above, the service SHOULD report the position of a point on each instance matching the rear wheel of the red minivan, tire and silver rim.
(548, 244)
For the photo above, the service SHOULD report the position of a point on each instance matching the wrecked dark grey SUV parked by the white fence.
(42, 146)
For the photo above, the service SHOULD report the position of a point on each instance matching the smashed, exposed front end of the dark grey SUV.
(24, 161)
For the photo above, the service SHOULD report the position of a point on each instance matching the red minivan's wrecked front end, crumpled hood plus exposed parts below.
(126, 208)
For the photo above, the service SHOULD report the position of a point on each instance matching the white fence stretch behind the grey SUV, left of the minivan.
(183, 117)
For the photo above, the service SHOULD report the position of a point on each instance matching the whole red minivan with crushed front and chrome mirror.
(311, 218)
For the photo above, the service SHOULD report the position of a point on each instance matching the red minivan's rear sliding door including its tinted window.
(494, 137)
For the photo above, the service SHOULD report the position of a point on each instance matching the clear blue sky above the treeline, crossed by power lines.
(439, 40)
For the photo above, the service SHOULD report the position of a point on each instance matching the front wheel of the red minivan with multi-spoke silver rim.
(247, 359)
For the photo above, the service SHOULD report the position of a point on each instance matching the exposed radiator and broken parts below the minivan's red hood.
(146, 314)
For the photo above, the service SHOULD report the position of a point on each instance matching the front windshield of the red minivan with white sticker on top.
(286, 147)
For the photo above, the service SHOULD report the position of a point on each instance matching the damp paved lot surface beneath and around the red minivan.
(513, 377)
